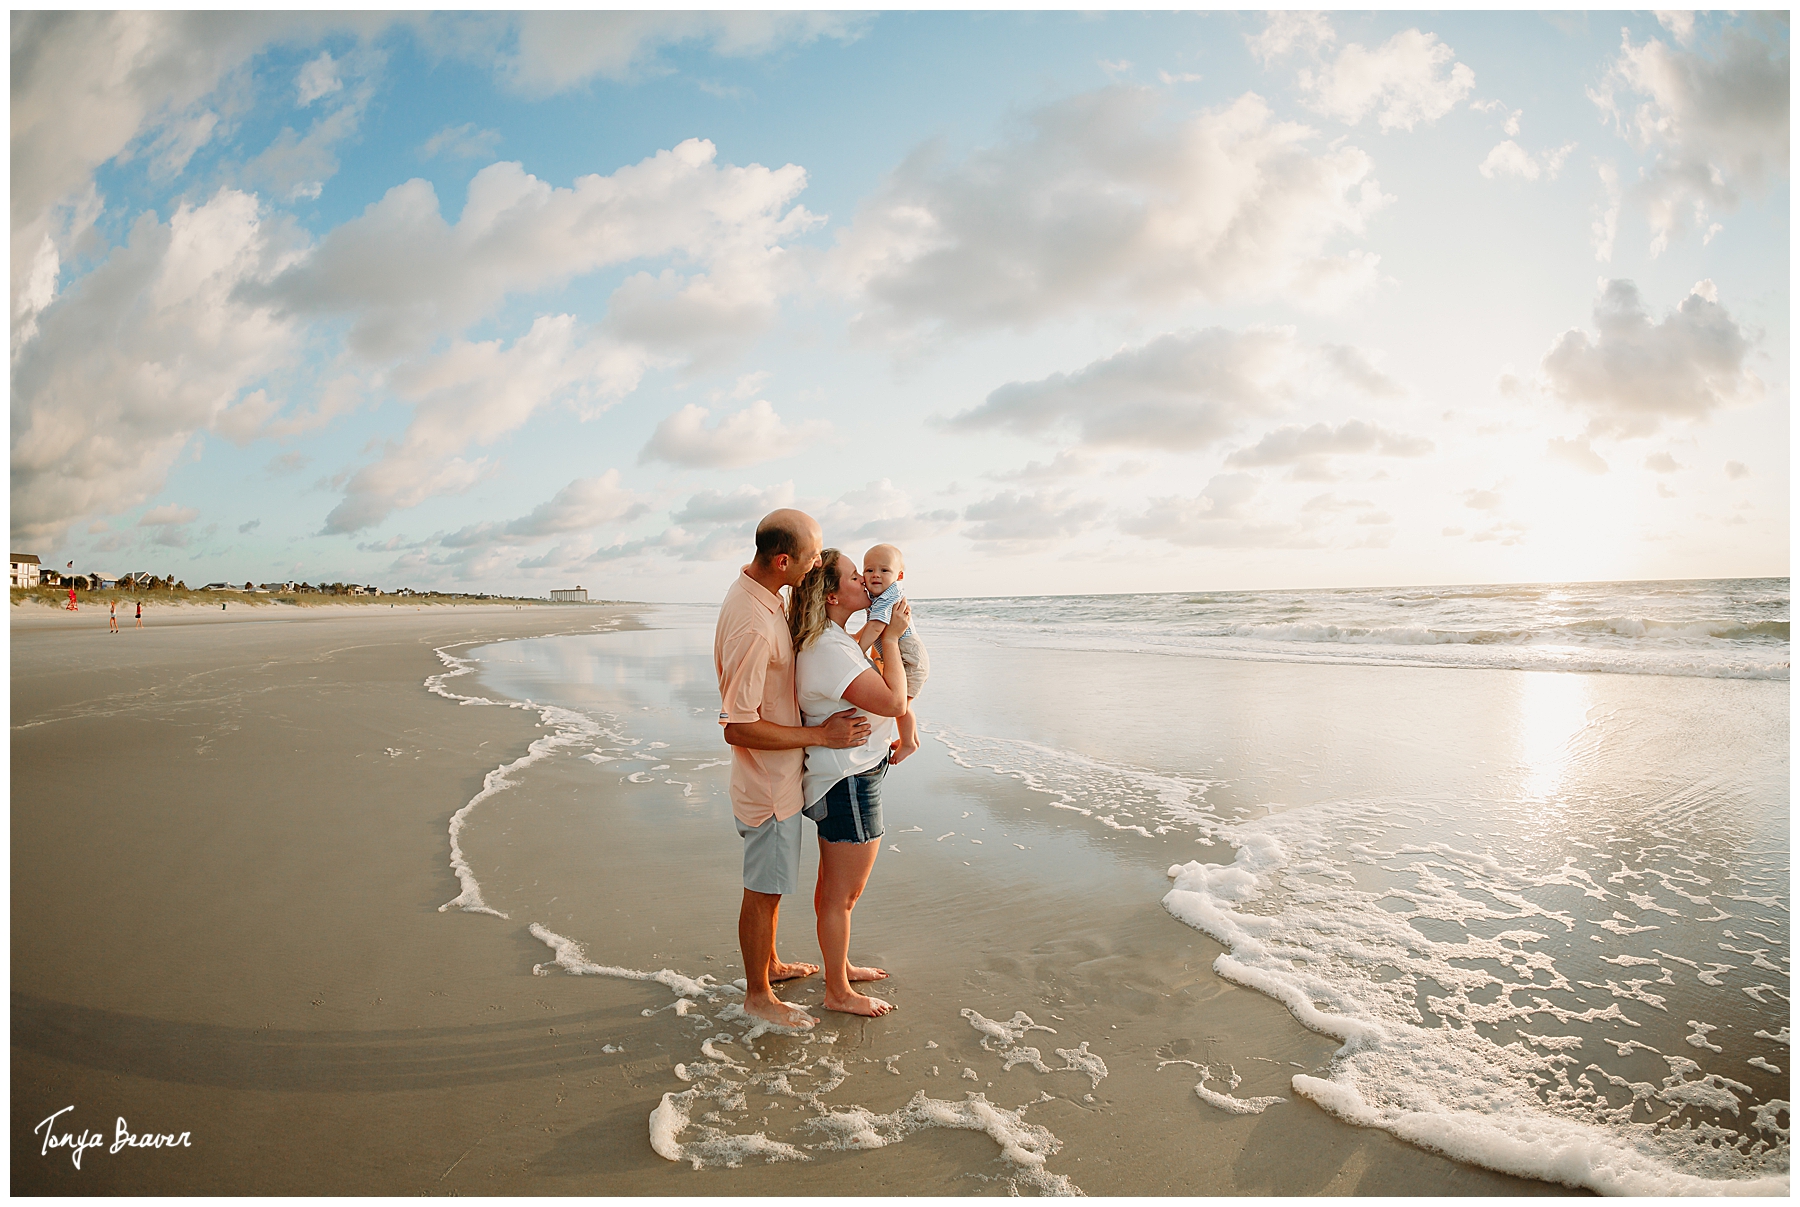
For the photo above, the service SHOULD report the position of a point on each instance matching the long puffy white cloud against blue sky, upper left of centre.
(406, 276)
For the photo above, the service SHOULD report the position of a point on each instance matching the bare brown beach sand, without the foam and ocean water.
(229, 848)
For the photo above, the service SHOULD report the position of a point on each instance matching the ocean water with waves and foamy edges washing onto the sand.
(1520, 854)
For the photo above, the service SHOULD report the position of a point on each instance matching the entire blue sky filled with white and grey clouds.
(1057, 303)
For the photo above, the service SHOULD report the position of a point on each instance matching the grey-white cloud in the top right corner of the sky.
(1716, 121)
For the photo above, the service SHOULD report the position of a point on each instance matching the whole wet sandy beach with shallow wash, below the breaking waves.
(235, 841)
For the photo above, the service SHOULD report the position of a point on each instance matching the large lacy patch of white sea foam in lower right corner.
(1479, 940)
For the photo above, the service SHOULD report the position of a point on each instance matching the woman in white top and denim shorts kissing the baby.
(843, 789)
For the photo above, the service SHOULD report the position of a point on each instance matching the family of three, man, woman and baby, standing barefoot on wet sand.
(813, 726)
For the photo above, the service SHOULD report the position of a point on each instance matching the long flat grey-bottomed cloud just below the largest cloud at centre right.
(1182, 391)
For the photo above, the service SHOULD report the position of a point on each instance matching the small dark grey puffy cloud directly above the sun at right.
(1635, 373)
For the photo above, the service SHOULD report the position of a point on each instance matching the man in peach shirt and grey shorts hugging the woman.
(760, 711)
